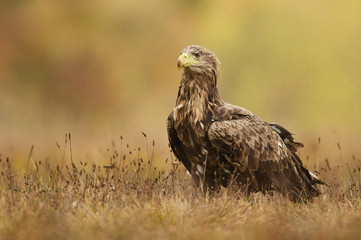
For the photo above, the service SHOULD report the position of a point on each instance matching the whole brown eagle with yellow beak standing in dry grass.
(221, 144)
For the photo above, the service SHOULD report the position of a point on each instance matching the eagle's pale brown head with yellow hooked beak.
(197, 59)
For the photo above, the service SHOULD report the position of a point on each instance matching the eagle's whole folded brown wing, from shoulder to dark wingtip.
(253, 146)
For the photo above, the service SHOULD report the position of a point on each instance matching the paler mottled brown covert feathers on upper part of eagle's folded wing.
(250, 141)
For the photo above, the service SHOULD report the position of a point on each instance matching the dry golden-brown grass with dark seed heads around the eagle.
(132, 198)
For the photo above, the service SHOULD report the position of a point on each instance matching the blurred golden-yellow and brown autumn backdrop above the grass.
(105, 69)
